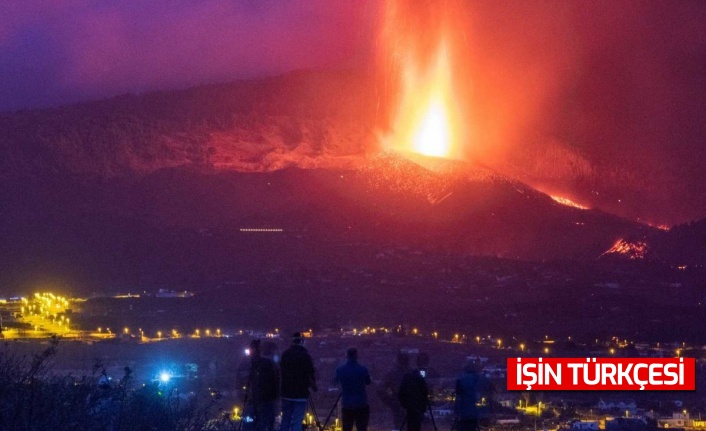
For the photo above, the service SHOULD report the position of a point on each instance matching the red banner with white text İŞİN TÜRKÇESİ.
(601, 374)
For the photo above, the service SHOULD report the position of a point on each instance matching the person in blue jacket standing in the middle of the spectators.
(353, 378)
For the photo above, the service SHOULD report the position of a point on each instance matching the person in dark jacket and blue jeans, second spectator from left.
(298, 376)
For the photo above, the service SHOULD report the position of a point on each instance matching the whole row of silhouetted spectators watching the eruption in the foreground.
(404, 390)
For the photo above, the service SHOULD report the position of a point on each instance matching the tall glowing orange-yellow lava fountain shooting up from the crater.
(425, 113)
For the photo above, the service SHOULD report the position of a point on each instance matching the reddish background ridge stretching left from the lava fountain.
(299, 119)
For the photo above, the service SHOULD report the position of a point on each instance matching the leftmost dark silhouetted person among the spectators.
(264, 389)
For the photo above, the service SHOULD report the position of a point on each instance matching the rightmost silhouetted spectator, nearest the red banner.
(471, 387)
